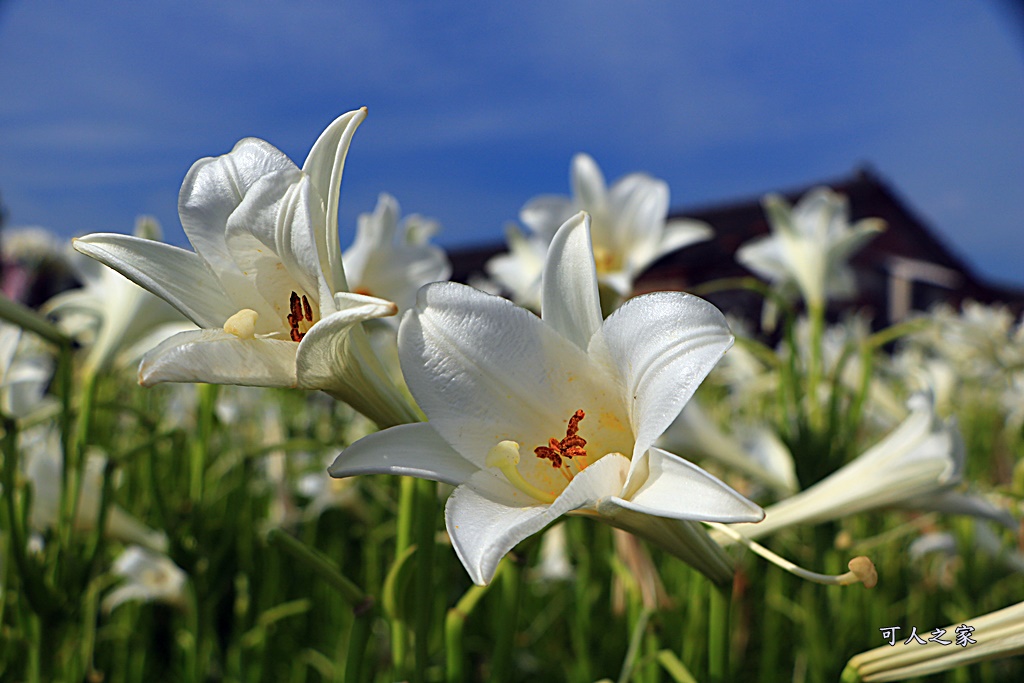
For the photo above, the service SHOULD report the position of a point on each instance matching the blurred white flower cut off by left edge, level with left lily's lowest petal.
(26, 369)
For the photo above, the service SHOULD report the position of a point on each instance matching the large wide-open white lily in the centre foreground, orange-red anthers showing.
(533, 419)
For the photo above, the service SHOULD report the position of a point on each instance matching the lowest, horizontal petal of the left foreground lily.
(217, 357)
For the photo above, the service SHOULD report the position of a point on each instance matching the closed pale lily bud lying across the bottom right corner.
(999, 634)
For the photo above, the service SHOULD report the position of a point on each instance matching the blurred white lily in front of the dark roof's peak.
(809, 246)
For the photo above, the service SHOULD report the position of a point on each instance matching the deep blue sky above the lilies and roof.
(475, 108)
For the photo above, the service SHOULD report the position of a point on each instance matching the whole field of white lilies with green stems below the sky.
(273, 459)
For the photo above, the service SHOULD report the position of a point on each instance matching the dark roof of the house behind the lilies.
(908, 240)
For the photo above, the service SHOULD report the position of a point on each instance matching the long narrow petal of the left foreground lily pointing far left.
(178, 276)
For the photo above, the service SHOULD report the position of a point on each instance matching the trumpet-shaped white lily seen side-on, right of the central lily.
(911, 467)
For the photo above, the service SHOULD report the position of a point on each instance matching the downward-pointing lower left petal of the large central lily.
(485, 527)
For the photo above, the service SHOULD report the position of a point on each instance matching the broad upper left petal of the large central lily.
(482, 368)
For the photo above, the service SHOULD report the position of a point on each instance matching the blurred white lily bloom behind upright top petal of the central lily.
(629, 229)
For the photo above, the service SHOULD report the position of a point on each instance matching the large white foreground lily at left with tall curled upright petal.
(266, 283)
